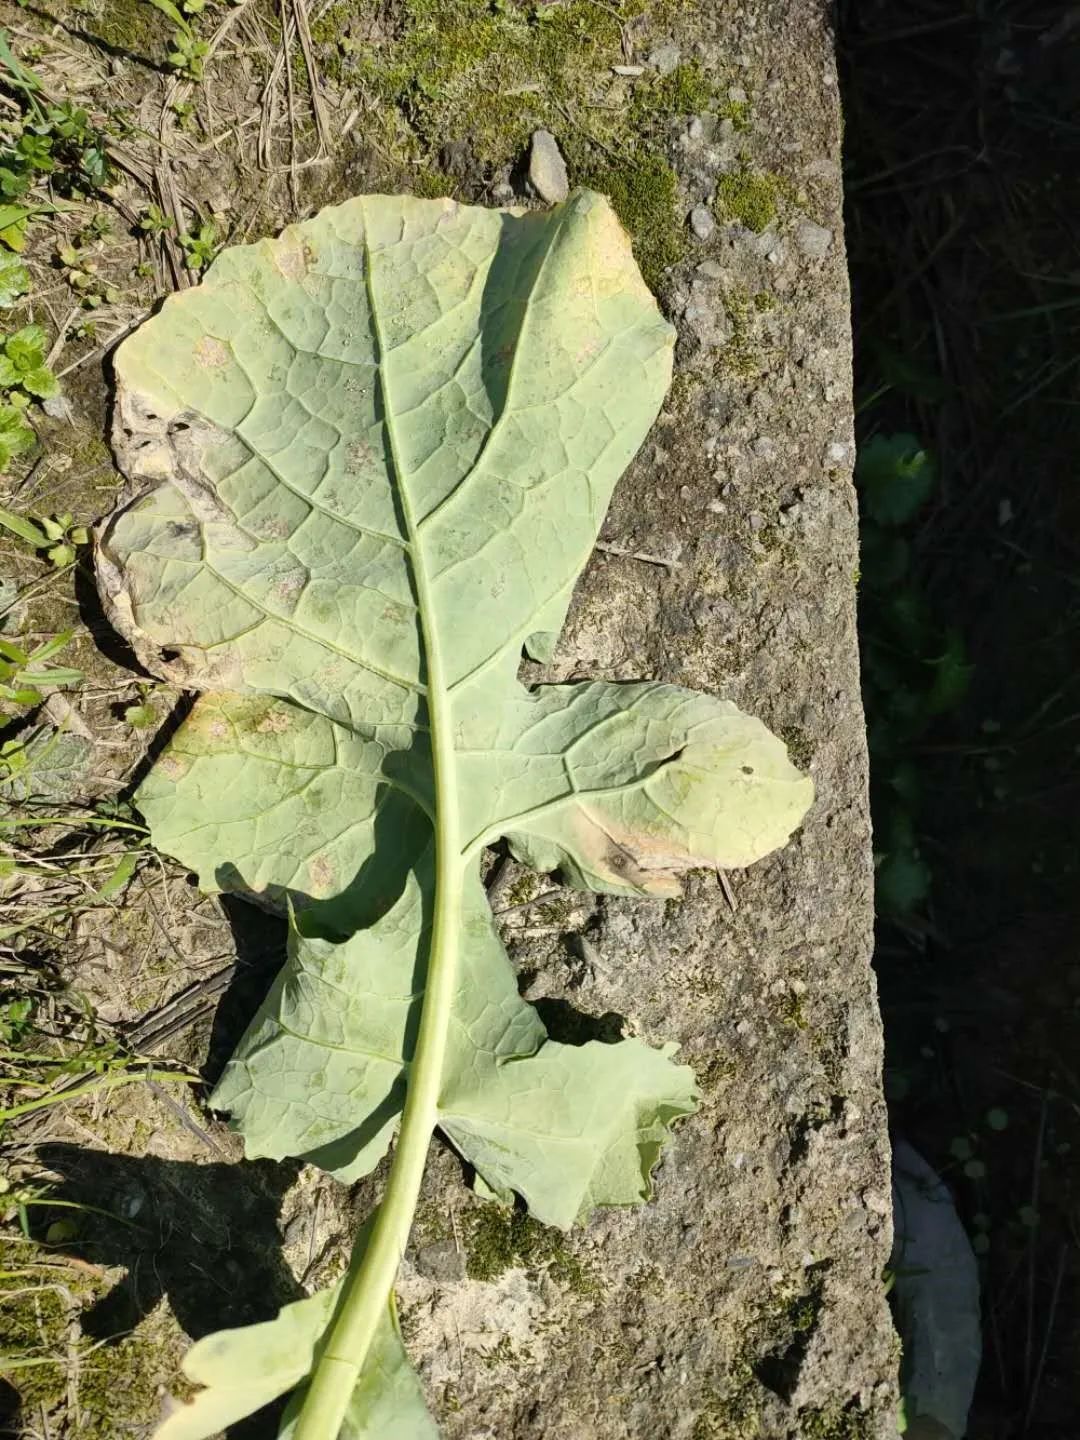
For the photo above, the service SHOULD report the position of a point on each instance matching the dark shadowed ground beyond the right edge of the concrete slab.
(964, 230)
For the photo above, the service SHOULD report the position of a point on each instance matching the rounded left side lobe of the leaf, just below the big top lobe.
(267, 800)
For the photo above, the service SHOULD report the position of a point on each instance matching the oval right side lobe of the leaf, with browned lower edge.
(627, 787)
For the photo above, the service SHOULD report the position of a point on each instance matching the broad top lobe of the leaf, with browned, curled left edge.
(391, 385)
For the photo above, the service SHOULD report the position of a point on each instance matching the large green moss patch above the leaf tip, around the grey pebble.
(457, 87)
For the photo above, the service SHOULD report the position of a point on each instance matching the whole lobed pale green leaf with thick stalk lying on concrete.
(368, 463)
